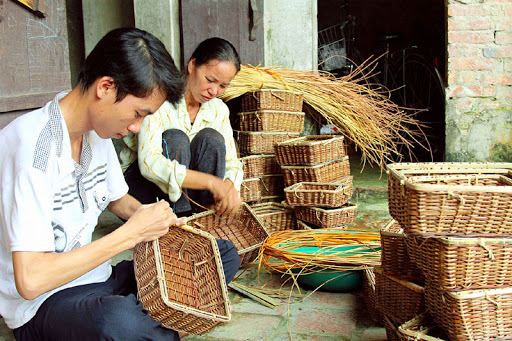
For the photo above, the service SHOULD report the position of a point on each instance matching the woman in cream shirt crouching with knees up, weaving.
(186, 153)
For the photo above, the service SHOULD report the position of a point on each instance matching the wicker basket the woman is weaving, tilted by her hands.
(244, 230)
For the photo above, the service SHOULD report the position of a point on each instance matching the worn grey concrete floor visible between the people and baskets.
(315, 316)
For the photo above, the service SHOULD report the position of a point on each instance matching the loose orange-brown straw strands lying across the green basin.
(320, 250)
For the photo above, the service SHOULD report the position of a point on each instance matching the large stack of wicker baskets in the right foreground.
(457, 221)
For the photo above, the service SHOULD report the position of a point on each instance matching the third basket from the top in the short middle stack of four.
(317, 194)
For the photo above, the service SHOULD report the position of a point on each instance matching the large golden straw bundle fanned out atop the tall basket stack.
(364, 113)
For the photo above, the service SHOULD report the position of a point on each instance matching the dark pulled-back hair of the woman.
(215, 49)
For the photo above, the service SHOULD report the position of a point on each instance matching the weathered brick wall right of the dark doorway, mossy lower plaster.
(479, 93)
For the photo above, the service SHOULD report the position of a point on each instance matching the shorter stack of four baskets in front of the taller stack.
(317, 172)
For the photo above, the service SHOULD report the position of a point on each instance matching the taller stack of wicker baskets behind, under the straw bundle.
(266, 118)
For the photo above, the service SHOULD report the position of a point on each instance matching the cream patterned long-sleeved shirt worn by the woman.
(167, 174)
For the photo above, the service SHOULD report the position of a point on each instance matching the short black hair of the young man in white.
(137, 61)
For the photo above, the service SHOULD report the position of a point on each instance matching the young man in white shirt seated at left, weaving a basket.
(58, 172)
